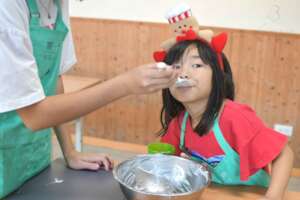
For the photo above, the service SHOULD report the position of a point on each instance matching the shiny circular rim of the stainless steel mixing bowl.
(163, 195)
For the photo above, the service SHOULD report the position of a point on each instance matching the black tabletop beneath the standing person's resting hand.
(71, 185)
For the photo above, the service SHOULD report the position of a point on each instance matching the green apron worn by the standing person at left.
(24, 153)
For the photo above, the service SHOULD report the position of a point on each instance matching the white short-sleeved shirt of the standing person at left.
(20, 85)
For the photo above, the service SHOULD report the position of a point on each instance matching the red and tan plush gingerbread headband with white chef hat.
(185, 27)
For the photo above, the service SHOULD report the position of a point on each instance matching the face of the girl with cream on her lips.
(192, 67)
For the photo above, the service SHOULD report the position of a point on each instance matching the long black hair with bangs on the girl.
(222, 86)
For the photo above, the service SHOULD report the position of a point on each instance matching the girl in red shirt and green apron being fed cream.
(201, 119)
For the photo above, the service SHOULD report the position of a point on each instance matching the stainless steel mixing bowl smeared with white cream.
(158, 176)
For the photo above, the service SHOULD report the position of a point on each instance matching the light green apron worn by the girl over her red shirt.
(228, 170)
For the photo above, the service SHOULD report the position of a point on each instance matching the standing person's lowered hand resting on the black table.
(90, 161)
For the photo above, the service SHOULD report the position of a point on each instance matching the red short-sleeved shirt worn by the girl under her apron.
(256, 144)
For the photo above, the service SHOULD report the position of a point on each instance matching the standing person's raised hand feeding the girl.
(149, 78)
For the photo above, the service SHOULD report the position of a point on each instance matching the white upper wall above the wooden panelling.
(267, 15)
